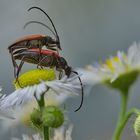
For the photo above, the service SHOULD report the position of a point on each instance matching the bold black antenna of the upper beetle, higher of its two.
(48, 18)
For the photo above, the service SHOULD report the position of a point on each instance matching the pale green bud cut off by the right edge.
(137, 126)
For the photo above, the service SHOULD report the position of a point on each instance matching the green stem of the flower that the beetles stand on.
(41, 104)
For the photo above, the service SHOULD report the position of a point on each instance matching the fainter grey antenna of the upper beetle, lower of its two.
(38, 22)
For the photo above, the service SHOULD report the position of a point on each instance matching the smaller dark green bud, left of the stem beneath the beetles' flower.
(36, 119)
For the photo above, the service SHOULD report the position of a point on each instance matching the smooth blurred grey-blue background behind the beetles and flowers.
(89, 30)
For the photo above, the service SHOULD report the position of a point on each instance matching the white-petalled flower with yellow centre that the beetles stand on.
(36, 82)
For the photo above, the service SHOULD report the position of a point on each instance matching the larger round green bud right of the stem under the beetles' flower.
(52, 116)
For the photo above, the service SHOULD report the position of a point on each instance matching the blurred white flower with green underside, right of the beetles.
(119, 71)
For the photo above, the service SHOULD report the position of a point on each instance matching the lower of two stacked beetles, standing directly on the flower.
(49, 59)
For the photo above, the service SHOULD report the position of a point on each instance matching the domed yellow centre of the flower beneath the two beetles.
(33, 77)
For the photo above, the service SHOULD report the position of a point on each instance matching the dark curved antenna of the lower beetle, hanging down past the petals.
(82, 89)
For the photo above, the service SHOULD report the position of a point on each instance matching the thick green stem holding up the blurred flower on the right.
(120, 123)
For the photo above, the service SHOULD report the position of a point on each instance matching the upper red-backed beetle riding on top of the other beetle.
(36, 41)
